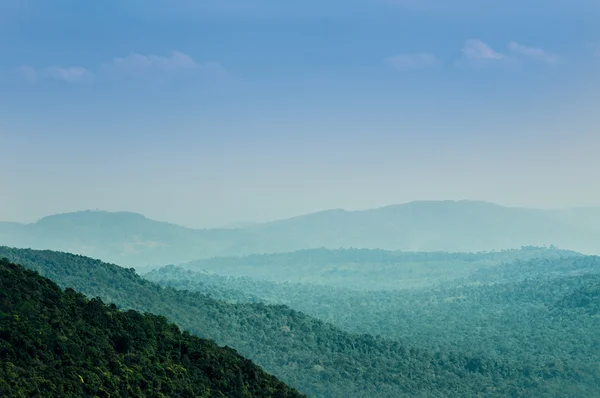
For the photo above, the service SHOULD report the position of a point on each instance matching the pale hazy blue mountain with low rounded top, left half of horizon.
(121, 237)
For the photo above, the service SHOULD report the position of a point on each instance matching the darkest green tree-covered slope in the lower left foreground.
(60, 344)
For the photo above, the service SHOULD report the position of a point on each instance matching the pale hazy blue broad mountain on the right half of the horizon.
(436, 226)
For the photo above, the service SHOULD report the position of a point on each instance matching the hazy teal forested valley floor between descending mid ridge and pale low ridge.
(542, 311)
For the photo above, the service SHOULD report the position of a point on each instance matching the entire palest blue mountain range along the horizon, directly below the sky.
(465, 226)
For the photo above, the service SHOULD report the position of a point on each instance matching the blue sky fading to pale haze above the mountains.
(209, 112)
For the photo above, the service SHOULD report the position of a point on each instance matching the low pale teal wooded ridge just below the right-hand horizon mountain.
(369, 268)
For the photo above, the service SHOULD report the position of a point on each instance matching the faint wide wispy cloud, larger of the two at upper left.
(154, 65)
